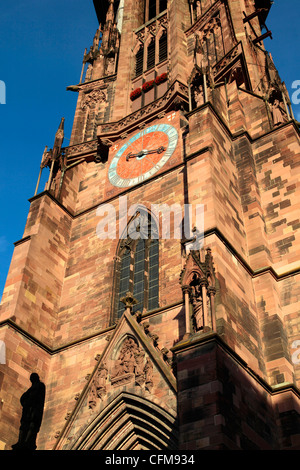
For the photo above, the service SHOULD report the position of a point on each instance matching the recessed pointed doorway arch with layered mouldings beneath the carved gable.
(130, 422)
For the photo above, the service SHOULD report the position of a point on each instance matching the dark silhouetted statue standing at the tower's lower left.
(32, 402)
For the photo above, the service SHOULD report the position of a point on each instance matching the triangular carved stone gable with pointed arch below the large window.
(132, 386)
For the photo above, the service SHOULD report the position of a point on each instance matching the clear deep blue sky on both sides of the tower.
(42, 44)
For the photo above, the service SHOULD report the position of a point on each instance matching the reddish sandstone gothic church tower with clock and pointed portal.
(156, 288)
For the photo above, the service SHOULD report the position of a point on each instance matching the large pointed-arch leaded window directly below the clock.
(137, 265)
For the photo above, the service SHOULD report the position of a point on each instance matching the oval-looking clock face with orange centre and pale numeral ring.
(143, 155)
